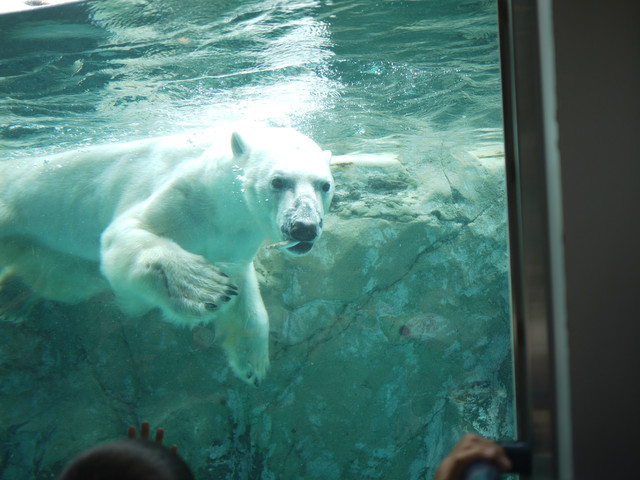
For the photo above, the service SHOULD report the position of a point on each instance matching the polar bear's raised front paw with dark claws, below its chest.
(191, 288)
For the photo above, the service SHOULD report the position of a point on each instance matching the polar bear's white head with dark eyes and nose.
(288, 184)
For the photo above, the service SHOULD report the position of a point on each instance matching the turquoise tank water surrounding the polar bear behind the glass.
(388, 341)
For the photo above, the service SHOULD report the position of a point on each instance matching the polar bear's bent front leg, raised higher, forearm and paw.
(147, 271)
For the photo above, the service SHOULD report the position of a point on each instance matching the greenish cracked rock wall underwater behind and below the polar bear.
(388, 341)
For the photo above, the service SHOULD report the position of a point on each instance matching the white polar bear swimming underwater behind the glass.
(164, 227)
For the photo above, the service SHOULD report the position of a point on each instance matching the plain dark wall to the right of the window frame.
(598, 95)
